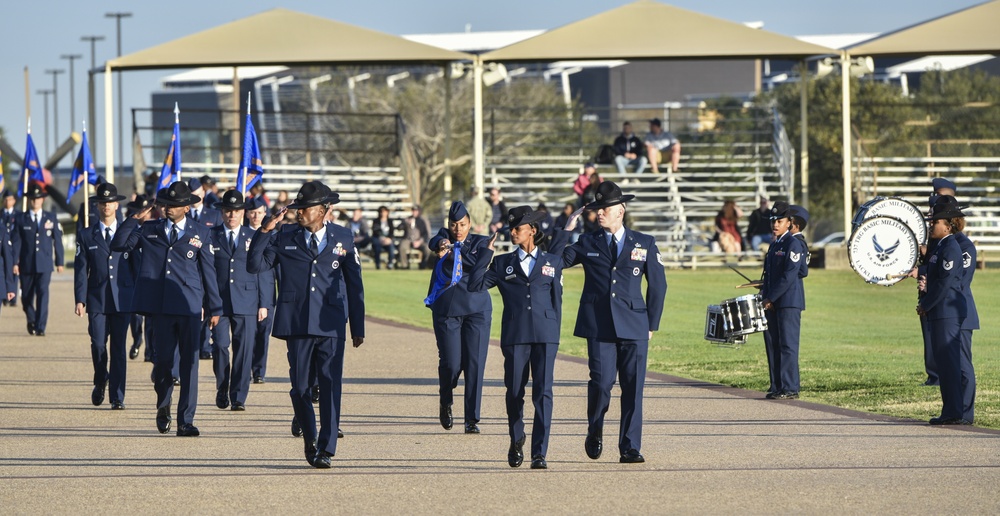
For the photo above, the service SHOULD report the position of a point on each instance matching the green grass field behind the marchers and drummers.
(860, 345)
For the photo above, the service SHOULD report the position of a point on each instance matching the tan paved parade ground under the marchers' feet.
(708, 449)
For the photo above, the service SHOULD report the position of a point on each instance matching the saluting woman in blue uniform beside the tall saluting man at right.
(530, 284)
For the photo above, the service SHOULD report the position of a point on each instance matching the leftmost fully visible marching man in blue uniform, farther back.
(37, 245)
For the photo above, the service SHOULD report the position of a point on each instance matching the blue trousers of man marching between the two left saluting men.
(237, 330)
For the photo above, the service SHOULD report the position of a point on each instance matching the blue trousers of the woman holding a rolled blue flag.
(463, 343)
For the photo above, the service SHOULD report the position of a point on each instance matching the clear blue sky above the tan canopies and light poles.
(36, 33)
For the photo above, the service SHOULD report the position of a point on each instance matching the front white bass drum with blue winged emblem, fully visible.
(882, 250)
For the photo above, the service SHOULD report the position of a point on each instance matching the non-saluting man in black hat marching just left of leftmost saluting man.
(103, 287)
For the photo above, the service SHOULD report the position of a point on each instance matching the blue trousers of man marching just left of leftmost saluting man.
(103, 327)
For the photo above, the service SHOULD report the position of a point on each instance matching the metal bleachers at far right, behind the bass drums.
(977, 179)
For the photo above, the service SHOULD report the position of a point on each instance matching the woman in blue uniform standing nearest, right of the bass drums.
(945, 308)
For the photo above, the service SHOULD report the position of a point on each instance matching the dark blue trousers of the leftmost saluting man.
(177, 334)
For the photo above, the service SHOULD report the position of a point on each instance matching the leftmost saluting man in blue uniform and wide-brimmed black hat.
(176, 289)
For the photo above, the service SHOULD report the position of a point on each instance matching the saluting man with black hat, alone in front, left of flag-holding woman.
(320, 291)
